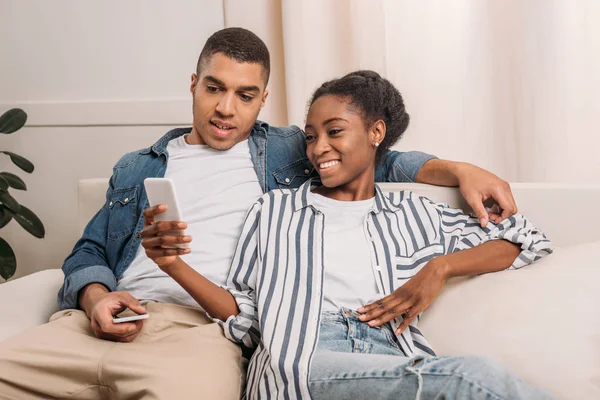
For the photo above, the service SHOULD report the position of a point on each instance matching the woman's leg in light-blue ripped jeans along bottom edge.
(337, 375)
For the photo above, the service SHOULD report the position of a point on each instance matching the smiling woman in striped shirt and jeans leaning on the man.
(330, 279)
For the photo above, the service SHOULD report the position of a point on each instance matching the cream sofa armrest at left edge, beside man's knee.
(29, 301)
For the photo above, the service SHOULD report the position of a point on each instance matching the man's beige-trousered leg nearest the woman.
(180, 354)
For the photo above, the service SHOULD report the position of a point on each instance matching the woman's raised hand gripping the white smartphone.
(158, 239)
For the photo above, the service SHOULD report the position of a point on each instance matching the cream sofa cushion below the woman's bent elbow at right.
(542, 322)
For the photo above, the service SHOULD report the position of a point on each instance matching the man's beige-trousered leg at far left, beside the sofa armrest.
(55, 360)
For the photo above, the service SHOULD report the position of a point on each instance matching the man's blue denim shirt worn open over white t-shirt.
(111, 239)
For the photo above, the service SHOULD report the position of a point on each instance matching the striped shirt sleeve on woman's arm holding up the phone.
(241, 283)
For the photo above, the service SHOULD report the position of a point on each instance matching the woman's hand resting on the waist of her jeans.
(410, 299)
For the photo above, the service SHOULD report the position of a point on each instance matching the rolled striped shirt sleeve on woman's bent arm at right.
(462, 231)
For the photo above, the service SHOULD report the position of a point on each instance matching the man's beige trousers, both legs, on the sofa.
(179, 354)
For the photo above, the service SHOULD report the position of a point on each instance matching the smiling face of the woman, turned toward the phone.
(339, 145)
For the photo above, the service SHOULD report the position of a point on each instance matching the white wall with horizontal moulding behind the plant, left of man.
(97, 79)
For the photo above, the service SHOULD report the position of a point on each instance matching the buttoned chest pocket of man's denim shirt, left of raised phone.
(122, 213)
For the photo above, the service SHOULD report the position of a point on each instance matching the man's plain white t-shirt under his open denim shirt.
(214, 190)
